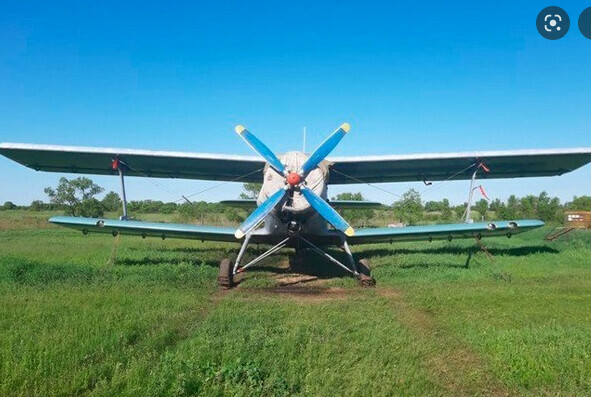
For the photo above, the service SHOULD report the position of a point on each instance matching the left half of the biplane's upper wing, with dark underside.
(150, 163)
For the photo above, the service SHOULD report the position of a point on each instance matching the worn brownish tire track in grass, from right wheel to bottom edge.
(455, 367)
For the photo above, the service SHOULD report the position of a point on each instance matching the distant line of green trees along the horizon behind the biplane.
(78, 197)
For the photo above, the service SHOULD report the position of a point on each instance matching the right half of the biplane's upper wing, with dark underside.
(456, 166)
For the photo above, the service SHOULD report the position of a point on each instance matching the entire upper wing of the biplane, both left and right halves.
(344, 170)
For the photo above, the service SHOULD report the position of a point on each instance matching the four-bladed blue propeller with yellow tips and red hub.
(294, 180)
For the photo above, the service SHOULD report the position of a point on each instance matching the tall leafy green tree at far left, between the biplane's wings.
(72, 193)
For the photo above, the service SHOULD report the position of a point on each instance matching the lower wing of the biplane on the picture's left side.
(155, 229)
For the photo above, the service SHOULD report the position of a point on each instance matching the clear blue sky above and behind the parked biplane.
(410, 78)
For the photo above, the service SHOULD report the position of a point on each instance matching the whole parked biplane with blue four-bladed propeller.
(292, 209)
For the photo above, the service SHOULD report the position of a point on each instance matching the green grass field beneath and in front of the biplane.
(96, 315)
